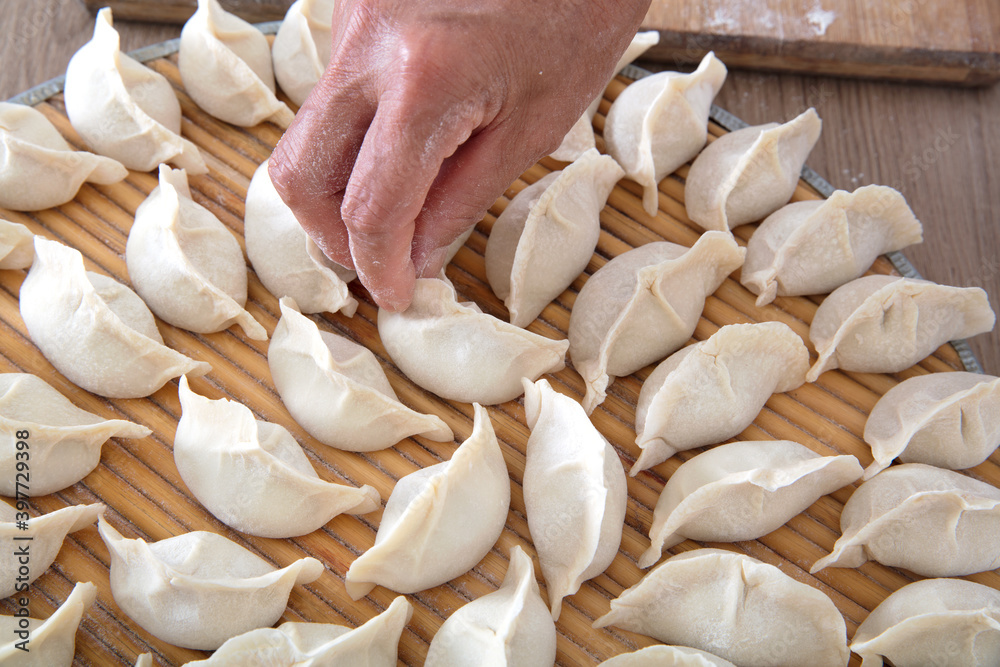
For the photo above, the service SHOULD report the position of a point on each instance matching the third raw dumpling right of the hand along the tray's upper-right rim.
(748, 174)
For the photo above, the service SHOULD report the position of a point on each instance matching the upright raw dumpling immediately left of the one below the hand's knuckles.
(185, 264)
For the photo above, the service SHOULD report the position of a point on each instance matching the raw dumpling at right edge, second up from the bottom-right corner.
(933, 522)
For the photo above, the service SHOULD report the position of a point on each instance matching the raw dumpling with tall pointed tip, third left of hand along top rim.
(123, 109)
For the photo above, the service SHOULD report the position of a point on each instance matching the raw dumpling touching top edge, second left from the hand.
(225, 64)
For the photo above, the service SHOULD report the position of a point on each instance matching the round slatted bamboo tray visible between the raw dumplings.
(145, 497)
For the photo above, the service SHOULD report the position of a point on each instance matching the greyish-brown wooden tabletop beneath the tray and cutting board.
(939, 146)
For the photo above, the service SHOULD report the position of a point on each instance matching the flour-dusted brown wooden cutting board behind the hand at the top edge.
(924, 40)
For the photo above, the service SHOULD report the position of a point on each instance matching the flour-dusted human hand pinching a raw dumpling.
(427, 112)
